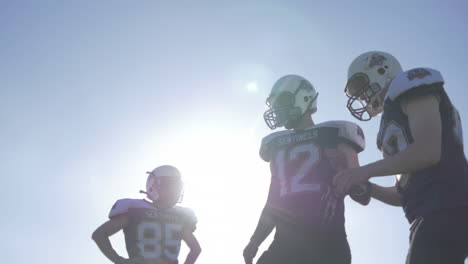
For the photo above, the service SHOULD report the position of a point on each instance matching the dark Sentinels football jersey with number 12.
(301, 175)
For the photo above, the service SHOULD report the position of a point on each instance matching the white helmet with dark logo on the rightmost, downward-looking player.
(369, 76)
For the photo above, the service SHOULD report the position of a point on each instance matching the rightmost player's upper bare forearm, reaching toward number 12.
(414, 157)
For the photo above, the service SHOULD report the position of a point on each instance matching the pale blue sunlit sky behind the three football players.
(96, 93)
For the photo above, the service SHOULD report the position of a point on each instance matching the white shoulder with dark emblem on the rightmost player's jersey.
(407, 80)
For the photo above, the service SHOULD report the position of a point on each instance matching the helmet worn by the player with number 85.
(167, 177)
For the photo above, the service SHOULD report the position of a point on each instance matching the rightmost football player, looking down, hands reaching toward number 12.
(421, 140)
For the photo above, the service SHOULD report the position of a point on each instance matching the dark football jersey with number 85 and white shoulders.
(153, 233)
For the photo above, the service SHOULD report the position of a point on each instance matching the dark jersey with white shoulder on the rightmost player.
(441, 186)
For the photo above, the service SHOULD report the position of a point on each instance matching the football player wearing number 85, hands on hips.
(153, 229)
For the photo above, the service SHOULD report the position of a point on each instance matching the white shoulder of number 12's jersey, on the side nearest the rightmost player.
(348, 131)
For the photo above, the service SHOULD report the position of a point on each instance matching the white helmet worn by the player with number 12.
(290, 98)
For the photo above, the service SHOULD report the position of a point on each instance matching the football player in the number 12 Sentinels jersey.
(307, 216)
